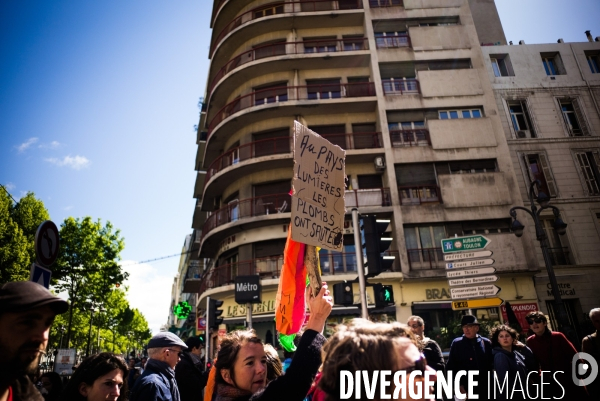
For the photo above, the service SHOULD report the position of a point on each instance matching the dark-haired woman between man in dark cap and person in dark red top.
(514, 360)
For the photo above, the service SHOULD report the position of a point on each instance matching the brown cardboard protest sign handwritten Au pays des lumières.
(318, 205)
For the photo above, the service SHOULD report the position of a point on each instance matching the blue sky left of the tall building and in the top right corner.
(98, 101)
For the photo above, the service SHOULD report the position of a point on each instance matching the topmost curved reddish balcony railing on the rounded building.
(285, 8)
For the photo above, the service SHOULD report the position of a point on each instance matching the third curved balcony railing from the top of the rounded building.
(285, 93)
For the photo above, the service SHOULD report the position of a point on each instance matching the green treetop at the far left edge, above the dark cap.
(18, 224)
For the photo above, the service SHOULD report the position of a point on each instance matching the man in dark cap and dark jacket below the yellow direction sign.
(471, 352)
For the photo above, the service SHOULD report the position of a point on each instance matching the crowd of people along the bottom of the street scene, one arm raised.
(246, 369)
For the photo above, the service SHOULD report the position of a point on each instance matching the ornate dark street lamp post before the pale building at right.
(561, 228)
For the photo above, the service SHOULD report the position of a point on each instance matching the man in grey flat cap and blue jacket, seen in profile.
(157, 383)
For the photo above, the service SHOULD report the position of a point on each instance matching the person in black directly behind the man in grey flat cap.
(190, 373)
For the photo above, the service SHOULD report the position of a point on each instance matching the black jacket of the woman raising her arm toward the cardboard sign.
(295, 383)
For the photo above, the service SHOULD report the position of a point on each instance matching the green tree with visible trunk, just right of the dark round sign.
(87, 267)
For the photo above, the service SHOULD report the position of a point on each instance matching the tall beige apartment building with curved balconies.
(402, 86)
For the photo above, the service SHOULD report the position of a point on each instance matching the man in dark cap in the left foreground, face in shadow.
(27, 311)
